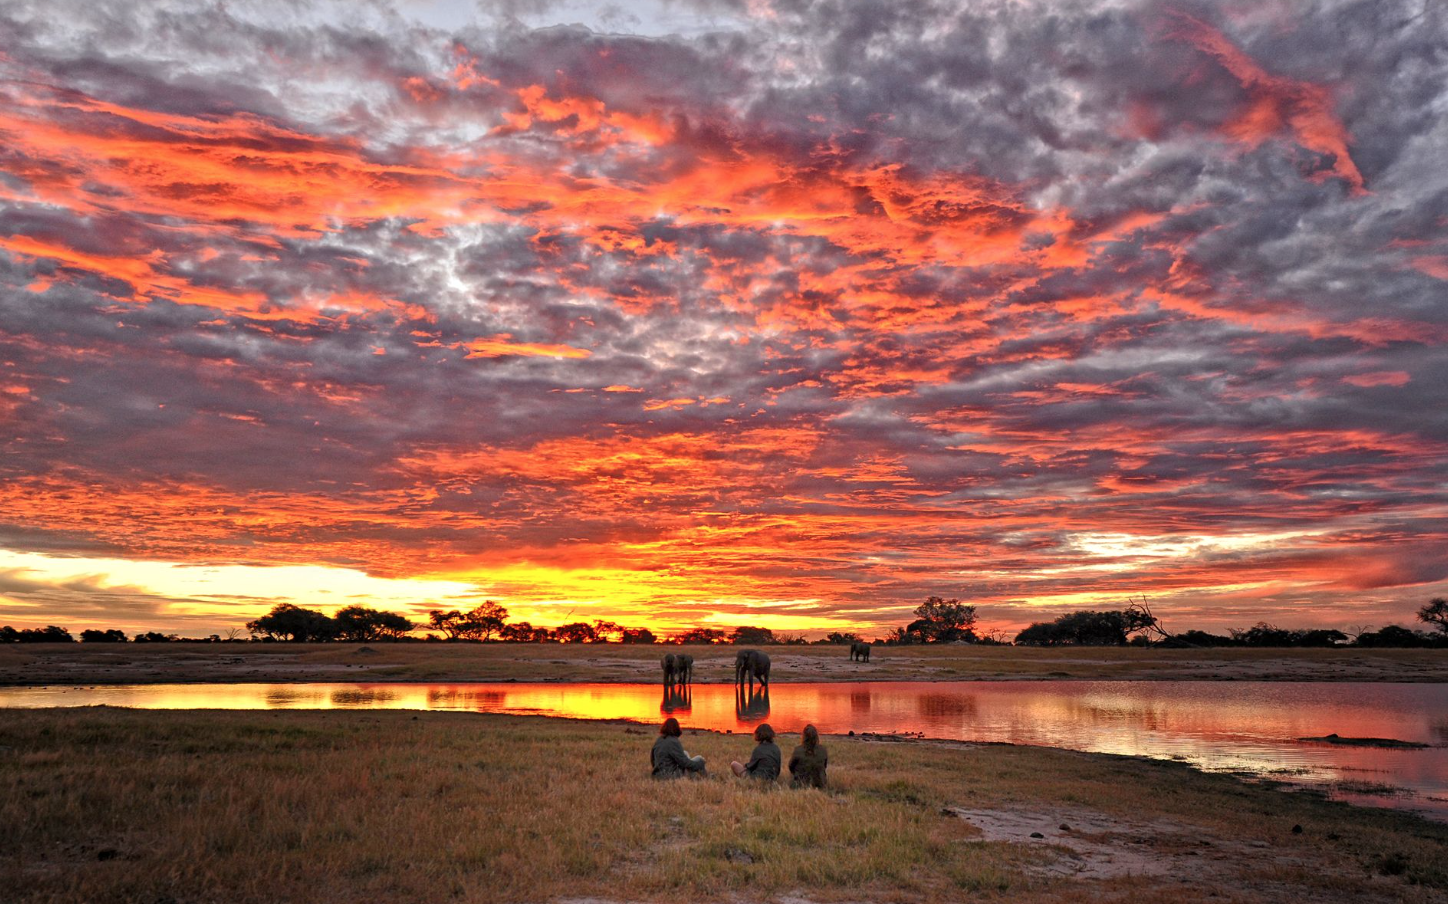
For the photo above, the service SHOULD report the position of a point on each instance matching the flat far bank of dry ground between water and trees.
(280, 663)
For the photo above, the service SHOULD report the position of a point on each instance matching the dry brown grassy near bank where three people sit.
(179, 808)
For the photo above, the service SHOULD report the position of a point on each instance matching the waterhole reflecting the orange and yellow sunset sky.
(1237, 727)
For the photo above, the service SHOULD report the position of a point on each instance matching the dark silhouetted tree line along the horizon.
(938, 621)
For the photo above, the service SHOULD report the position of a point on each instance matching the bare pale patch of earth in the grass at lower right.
(1093, 845)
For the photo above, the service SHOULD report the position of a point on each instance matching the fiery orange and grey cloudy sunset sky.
(712, 314)
